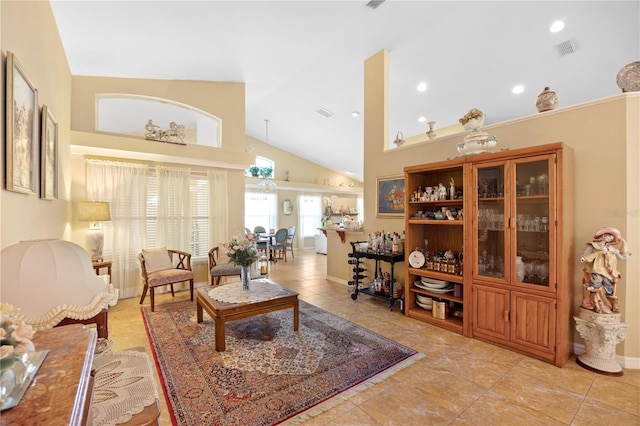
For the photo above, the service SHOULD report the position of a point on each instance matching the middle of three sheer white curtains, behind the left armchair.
(174, 208)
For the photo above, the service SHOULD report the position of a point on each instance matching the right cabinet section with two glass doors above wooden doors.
(520, 241)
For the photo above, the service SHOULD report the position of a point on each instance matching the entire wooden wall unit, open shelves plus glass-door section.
(514, 242)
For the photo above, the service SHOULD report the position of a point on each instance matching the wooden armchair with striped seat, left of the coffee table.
(164, 267)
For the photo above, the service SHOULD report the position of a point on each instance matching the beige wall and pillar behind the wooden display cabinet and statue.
(604, 134)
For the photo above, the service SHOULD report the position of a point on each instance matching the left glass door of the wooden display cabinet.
(491, 240)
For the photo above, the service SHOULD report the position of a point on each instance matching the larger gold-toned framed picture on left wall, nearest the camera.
(21, 130)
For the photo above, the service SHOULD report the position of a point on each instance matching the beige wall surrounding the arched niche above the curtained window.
(224, 100)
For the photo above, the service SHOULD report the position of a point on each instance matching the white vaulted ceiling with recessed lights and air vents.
(298, 57)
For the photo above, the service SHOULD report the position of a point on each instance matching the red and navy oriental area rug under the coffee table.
(268, 373)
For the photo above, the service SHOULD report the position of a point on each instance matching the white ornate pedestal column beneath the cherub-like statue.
(601, 333)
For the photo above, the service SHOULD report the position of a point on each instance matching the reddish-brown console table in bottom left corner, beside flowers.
(60, 394)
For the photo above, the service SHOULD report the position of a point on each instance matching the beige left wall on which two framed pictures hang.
(30, 32)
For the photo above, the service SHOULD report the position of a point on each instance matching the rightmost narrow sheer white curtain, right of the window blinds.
(218, 207)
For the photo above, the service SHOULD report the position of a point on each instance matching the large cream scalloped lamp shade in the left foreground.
(49, 280)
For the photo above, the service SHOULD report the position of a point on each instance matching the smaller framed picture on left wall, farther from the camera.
(48, 156)
